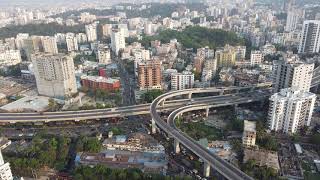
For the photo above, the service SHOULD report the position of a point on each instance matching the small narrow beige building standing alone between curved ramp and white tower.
(249, 133)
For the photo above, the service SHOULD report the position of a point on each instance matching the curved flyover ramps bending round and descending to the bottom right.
(210, 160)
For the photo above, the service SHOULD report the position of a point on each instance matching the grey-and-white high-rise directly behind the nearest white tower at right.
(292, 73)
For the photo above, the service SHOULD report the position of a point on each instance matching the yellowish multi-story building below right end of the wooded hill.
(226, 57)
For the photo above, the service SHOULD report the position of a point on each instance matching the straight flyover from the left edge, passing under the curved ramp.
(101, 113)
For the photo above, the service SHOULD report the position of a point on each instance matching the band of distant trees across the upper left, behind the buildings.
(39, 29)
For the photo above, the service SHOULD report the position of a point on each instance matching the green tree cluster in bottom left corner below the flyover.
(52, 152)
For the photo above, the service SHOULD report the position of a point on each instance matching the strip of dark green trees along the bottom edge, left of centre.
(103, 172)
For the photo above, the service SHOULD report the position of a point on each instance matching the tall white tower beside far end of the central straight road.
(118, 41)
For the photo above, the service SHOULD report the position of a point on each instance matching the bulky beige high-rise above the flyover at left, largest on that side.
(55, 76)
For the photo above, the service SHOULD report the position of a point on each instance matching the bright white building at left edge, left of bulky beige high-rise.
(10, 57)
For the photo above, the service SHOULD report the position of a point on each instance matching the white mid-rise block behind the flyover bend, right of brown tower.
(181, 81)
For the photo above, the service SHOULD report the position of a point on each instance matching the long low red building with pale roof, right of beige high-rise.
(98, 82)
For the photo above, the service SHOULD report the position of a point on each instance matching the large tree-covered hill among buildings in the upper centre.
(197, 37)
